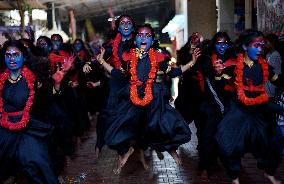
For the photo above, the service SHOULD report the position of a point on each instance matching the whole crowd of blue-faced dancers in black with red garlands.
(51, 90)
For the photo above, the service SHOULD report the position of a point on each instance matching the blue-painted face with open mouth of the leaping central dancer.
(144, 38)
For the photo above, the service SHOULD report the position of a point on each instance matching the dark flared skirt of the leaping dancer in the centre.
(156, 125)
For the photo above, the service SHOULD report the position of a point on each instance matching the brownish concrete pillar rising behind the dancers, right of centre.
(202, 17)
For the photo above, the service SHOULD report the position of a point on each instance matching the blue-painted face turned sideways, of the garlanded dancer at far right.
(255, 48)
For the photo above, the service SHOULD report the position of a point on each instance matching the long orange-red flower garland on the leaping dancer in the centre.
(134, 81)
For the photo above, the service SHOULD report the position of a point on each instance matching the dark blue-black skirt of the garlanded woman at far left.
(26, 151)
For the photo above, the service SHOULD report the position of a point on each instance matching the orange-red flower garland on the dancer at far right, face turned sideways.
(241, 88)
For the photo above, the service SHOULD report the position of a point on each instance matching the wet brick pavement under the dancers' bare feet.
(87, 170)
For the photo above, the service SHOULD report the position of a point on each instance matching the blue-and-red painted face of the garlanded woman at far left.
(14, 58)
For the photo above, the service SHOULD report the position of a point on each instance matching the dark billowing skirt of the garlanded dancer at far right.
(246, 129)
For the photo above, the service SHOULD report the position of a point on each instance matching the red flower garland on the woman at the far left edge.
(4, 121)
